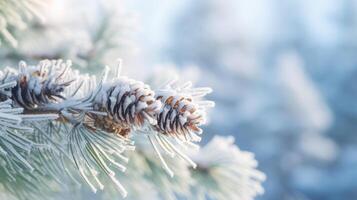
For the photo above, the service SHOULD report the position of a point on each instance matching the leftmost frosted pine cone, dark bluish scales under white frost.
(40, 84)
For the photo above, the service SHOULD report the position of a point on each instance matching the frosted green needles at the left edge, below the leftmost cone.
(17, 173)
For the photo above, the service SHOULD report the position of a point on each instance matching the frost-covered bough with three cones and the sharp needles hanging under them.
(114, 107)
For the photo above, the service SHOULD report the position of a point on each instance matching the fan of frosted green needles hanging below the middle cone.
(98, 152)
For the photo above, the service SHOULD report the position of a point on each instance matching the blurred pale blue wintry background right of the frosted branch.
(284, 75)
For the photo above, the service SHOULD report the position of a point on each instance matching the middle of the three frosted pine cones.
(128, 103)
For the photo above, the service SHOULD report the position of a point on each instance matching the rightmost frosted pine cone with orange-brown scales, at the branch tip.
(182, 112)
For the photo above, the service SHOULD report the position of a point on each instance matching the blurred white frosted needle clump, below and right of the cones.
(225, 172)
